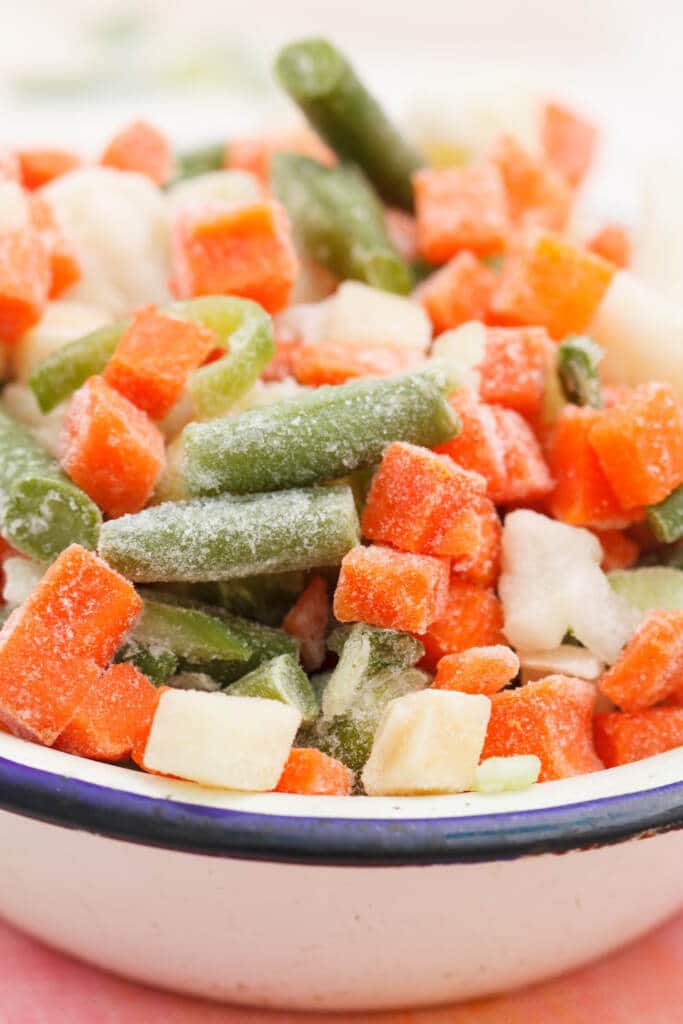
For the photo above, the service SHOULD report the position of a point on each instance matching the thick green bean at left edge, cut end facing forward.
(41, 511)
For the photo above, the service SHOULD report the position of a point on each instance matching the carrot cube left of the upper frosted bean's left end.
(111, 449)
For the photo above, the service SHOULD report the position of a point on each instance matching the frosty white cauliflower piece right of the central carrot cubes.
(552, 582)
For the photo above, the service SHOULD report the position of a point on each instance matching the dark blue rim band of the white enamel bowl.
(199, 829)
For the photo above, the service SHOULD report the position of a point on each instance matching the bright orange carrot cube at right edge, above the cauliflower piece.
(639, 445)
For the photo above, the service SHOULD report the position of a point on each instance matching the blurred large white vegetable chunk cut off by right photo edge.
(642, 333)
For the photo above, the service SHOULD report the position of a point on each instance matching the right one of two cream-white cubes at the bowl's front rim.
(430, 742)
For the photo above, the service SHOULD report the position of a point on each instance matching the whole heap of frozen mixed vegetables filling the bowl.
(334, 464)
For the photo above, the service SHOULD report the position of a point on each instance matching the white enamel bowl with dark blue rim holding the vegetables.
(334, 904)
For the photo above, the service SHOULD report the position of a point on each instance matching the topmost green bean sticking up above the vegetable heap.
(324, 84)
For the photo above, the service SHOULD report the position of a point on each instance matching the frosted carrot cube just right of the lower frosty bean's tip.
(392, 589)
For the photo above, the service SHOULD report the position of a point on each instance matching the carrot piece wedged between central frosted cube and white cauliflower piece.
(473, 618)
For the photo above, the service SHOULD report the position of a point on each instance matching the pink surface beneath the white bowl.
(644, 983)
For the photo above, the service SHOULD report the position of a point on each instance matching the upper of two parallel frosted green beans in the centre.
(321, 436)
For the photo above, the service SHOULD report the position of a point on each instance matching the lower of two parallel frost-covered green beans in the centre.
(227, 538)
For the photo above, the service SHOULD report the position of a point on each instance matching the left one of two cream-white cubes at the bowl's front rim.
(226, 742)
